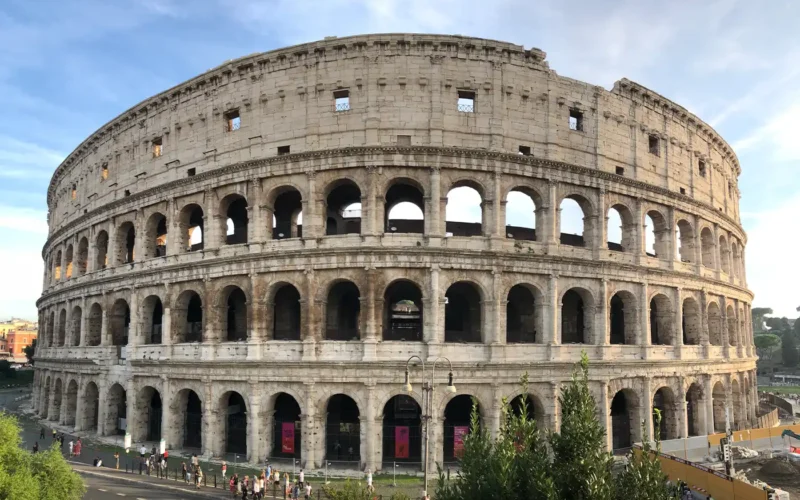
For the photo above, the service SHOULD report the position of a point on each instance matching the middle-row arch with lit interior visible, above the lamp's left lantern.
(402, 311)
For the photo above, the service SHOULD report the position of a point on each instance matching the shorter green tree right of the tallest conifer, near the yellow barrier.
(643, 473)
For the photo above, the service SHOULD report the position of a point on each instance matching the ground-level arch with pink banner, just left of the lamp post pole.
(402, 437)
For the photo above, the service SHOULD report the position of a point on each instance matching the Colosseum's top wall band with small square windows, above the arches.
(402, 89)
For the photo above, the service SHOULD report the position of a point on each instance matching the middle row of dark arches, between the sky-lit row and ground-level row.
(402, 317)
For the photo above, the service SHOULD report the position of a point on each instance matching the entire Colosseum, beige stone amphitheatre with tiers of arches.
(245, 263)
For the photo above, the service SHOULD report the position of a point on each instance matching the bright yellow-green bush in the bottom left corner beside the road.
(27, 476)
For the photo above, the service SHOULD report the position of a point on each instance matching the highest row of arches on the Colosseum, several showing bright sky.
(404, 211)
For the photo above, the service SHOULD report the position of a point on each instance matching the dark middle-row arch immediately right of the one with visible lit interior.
(462, 313)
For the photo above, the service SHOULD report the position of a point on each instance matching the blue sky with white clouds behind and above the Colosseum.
(68, 66)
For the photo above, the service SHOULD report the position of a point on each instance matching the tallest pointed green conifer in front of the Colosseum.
(582, 465)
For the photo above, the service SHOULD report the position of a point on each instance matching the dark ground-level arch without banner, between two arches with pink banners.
(342, 430)
